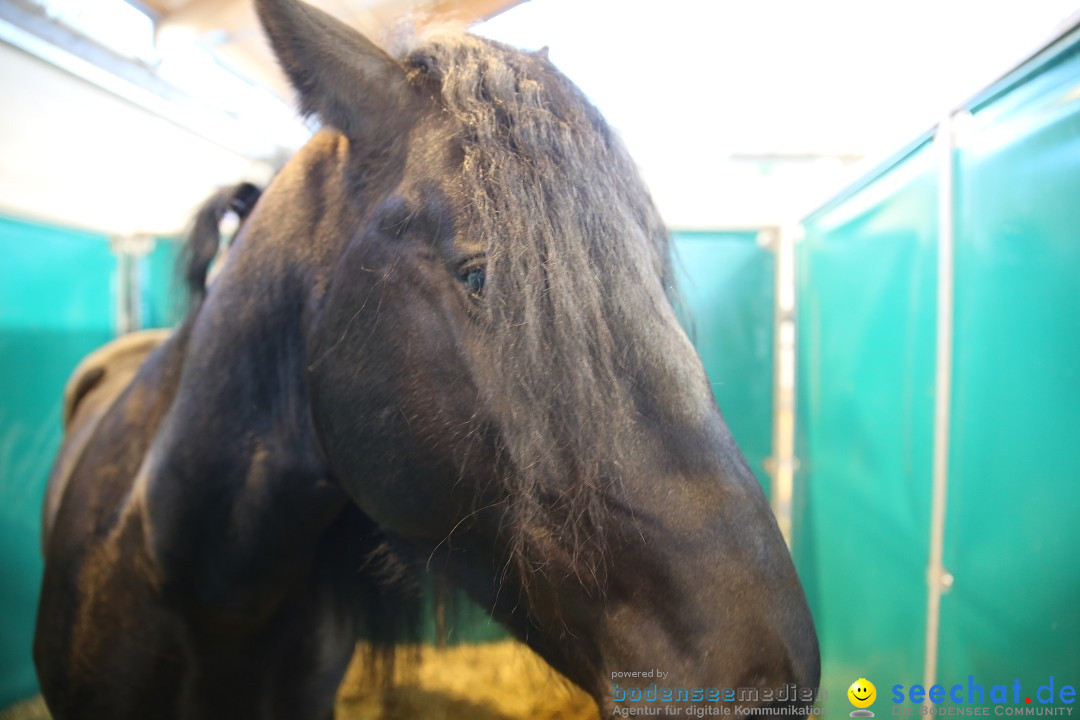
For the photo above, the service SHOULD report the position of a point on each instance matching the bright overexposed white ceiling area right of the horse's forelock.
(707, 96)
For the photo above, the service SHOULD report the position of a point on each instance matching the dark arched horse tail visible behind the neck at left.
(205, 239)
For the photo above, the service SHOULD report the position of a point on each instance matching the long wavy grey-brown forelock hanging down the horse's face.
(577, 257)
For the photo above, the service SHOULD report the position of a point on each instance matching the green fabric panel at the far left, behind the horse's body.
(57, 305)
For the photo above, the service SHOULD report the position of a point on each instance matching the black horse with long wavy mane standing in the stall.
(442, 342)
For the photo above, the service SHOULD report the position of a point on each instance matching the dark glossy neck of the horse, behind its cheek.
(239, 438)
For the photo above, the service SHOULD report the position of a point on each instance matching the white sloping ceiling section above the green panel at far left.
(75, 155)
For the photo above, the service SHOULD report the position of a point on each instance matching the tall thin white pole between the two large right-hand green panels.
(938, 579)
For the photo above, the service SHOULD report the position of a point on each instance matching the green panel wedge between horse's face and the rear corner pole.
(728, 284)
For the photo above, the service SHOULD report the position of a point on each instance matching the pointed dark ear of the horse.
(340, 75)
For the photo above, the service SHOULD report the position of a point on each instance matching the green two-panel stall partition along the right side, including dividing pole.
(868, 321)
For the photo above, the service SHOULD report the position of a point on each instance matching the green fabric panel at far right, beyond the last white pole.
(1012, 536)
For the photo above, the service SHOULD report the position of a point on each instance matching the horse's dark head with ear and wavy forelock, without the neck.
(496, 374)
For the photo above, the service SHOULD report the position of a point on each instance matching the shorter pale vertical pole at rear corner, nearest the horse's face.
(782, 465)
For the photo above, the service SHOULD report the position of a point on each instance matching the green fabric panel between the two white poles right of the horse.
(866, 342)
